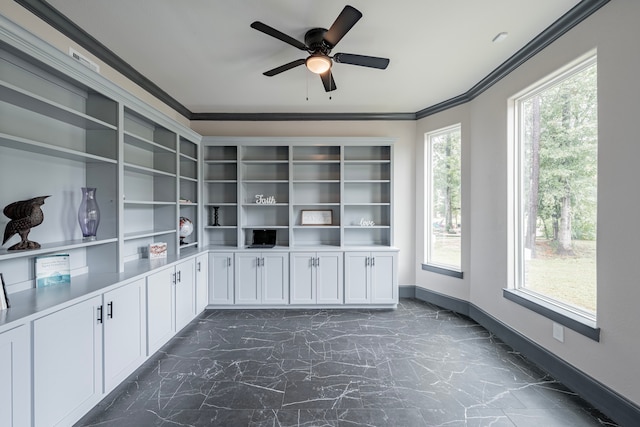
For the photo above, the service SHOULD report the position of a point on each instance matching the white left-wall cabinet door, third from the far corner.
(159, 309)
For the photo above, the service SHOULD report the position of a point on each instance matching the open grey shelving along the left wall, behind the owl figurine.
(64, 127)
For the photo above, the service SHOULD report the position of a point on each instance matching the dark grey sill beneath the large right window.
(571, 320)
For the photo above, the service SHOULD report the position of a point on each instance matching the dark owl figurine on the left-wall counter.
(24, 215)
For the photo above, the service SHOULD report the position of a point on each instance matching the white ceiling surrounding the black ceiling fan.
(204, 54)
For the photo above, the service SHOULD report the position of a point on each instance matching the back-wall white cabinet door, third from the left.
(275, 278)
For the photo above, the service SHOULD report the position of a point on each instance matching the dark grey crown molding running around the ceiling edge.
(53, 17)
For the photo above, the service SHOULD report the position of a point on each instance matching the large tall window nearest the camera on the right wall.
(556, 136)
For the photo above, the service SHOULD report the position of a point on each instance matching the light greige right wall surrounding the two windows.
(614, 31)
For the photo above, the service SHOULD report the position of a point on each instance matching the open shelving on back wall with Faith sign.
(276, 180)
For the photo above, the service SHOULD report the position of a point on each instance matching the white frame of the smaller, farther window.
(428, 264)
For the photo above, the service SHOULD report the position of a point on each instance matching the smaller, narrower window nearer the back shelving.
(443, 191)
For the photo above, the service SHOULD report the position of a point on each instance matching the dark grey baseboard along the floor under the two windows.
(615, 406)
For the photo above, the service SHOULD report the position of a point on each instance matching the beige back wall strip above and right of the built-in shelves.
(404, 166)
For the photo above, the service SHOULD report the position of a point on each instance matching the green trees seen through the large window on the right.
(567, 152)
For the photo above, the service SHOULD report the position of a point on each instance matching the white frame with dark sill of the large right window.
(571, 317)
